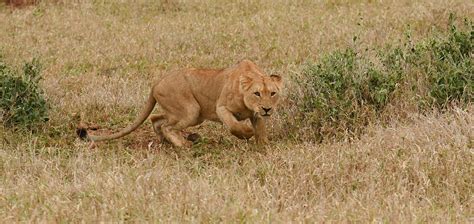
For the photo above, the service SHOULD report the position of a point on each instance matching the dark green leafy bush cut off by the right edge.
(451, 68)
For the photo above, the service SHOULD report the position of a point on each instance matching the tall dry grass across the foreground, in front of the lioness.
(415, 172)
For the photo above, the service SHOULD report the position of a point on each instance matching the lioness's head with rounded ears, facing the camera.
(261, 93)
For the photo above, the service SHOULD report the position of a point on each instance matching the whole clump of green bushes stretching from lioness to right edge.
(347, 89)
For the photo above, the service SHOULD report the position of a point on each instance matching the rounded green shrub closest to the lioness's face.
(342, 91)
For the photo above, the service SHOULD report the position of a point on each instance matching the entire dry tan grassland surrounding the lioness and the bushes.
(100, 57)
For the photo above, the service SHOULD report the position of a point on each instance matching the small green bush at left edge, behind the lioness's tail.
(22, 104)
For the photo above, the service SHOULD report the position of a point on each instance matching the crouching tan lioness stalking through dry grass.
(192, 96)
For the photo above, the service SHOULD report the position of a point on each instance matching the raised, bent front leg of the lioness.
(238, 129)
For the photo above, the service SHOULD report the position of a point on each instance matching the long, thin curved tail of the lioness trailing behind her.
(150, 104)
